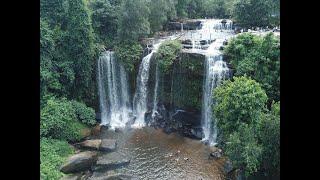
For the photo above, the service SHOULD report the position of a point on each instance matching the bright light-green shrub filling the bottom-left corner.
(52, 155)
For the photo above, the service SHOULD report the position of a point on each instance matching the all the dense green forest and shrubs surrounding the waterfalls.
(74, 32)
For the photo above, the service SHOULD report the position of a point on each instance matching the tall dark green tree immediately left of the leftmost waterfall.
(78, 40)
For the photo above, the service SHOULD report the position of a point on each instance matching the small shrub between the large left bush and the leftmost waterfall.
(84, 113)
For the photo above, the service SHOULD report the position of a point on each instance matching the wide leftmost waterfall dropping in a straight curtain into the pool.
(115, 104)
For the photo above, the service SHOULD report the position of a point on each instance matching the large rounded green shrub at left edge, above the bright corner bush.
(58, 119)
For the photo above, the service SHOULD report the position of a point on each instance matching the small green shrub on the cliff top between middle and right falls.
(167, 54)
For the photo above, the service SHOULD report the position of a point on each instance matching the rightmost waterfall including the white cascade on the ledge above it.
(216, 70)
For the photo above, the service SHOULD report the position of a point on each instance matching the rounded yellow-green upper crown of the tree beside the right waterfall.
(239, 101)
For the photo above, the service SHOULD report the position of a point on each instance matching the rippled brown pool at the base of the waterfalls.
(157, 155)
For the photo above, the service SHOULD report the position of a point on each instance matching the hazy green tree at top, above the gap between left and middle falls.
(133, 20)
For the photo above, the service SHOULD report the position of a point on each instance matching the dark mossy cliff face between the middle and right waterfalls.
(178, 108)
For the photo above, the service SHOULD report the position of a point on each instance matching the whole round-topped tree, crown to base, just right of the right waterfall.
(238, 109)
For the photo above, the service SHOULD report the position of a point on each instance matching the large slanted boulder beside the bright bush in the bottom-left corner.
(79, 162)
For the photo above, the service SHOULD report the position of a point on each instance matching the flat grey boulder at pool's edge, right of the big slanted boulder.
(111, 160)
